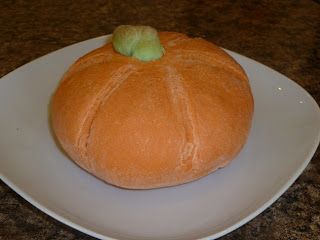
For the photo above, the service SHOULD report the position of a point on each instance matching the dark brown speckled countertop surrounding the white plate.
(285, 35)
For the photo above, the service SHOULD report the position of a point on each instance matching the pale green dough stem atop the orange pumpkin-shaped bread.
(141, 42)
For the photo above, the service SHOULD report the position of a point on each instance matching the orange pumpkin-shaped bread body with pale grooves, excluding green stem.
(142, 125)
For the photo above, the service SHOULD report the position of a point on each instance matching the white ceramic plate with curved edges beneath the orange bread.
(284, 136)
